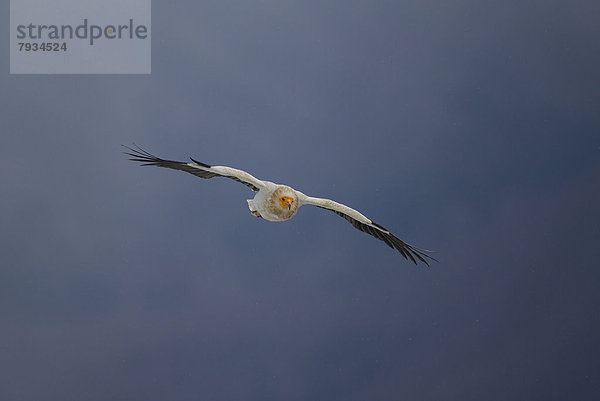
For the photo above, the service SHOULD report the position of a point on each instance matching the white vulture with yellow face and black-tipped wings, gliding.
(276, 202)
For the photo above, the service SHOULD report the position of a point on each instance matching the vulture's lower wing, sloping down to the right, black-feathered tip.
(366, 225)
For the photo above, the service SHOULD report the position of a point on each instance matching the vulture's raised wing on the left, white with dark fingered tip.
(197, 168)
